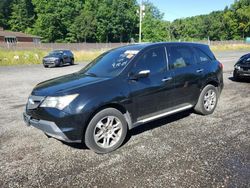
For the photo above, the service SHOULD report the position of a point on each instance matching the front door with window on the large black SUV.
(151, 95)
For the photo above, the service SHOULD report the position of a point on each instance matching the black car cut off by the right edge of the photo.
(242, 67)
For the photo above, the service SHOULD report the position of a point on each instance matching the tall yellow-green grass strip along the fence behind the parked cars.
(25, 57)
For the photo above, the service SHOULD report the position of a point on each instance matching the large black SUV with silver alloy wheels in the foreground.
(124, 88)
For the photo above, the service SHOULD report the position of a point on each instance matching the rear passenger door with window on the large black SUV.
(187, 73)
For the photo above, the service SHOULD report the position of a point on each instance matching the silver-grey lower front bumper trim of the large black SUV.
(49, 127)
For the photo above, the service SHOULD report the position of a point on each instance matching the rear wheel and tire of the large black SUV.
(207, 101)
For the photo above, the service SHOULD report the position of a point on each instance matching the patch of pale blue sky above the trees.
(174, 9)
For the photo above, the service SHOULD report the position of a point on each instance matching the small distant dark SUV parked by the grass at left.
(58, 58)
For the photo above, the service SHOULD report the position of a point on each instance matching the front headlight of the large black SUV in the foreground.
(58, 102)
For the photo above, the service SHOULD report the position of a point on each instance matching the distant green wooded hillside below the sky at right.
(231, 24)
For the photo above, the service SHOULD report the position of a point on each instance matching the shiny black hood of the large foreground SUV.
(64, 84)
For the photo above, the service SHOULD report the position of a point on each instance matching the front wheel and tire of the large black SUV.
(106, 131)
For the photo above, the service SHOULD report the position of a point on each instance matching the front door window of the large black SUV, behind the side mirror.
(153, 60)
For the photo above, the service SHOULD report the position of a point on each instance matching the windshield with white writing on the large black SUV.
(109, 64)
